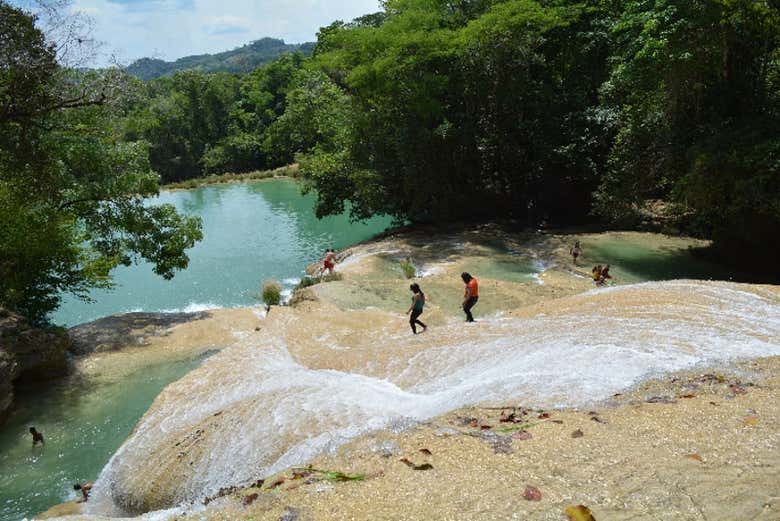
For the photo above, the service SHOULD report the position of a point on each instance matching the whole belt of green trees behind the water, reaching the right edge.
(534, 110)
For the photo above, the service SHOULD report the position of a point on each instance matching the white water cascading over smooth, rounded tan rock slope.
(259, 410)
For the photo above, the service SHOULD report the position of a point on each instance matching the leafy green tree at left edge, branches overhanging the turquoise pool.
(72, 195)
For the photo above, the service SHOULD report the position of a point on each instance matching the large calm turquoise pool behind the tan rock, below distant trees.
(252, 232)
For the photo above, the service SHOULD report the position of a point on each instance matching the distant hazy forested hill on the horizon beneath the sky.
(242, 59)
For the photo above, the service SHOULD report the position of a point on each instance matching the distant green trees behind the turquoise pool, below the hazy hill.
(202, 124)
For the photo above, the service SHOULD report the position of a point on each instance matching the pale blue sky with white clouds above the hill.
(170, 29)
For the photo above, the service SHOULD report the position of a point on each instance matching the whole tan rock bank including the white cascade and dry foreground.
(341, 374)
